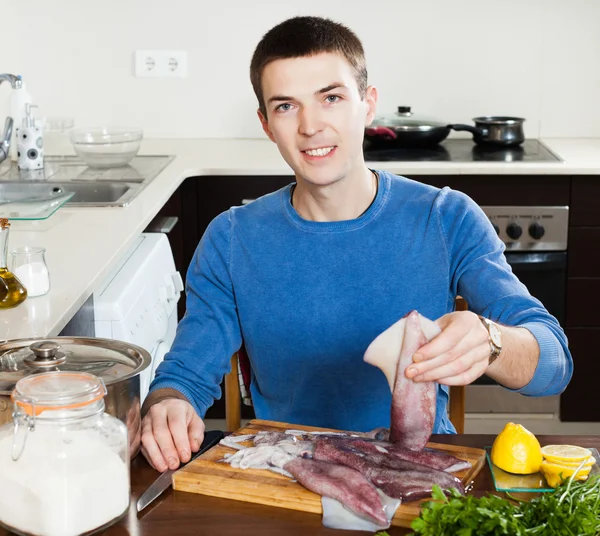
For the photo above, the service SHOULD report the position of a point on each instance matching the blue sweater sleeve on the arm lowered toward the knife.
(209, 333)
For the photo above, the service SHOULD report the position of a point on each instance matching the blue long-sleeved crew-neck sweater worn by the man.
(306, 298)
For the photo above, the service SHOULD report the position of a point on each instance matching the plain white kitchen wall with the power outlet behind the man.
(451, 59)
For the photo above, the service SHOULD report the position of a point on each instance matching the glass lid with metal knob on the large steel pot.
(110, 360)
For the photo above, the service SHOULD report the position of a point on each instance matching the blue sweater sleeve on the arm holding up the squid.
(479, 272)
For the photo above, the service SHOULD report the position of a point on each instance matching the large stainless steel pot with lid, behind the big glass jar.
(117, 363)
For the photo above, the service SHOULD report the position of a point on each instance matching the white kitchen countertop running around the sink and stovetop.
(83, 244)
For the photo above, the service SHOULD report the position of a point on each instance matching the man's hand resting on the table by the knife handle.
(171, 431)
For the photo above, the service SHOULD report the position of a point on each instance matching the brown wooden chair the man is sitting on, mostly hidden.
(237, 380)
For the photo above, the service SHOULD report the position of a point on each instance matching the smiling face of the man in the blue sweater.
(316, 116)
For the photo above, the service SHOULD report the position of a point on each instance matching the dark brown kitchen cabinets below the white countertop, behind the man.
(200, 199)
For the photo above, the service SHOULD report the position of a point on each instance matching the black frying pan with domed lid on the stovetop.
(405, 129)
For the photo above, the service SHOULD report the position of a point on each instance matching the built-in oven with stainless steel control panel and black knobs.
(536, 250)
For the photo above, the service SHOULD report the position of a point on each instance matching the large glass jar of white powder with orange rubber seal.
(65, 462)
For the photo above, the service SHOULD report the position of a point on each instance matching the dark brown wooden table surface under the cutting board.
(183, 514)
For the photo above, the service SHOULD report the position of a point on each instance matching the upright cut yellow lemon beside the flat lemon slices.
(517, 450)
